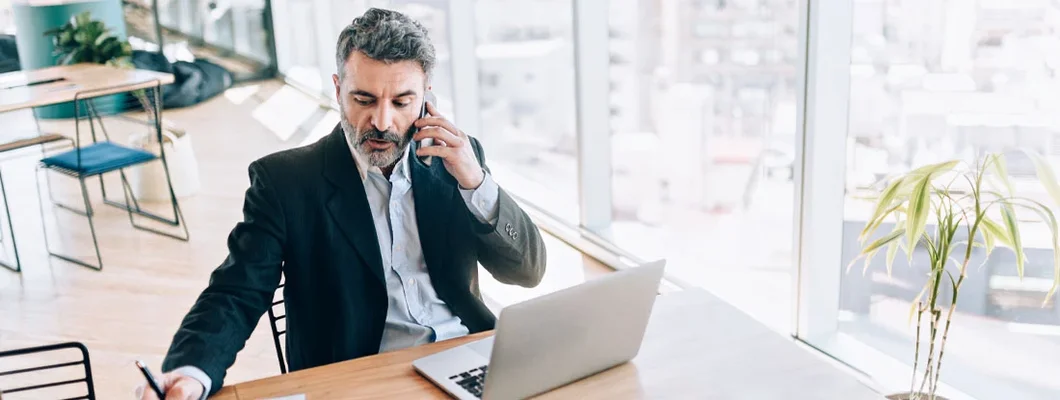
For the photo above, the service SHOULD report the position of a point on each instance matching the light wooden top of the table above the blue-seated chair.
(99, 80)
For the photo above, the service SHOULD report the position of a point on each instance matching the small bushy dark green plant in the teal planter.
(83, 40)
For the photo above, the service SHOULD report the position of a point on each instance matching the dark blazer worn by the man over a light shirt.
(307, 216)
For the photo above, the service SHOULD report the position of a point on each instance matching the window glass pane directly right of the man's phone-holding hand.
(526, 67)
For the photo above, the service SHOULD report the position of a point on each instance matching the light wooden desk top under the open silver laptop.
(697, 346)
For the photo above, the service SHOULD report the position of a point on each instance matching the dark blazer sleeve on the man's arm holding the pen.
(240, 291)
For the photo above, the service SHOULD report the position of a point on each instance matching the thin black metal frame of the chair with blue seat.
(132, 206)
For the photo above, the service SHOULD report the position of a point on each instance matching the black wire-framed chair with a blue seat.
(102, 158)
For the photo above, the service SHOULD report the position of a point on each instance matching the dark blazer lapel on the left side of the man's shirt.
(349, 204)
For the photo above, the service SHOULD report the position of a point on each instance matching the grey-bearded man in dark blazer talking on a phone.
(378, 248)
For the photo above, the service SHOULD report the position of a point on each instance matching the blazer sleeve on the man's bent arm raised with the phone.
(511, 250)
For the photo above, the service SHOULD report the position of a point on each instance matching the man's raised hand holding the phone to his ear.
(452, 146)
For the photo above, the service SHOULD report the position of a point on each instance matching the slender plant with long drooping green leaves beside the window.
(975, 199)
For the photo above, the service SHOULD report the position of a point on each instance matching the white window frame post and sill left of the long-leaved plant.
(825, 39)
